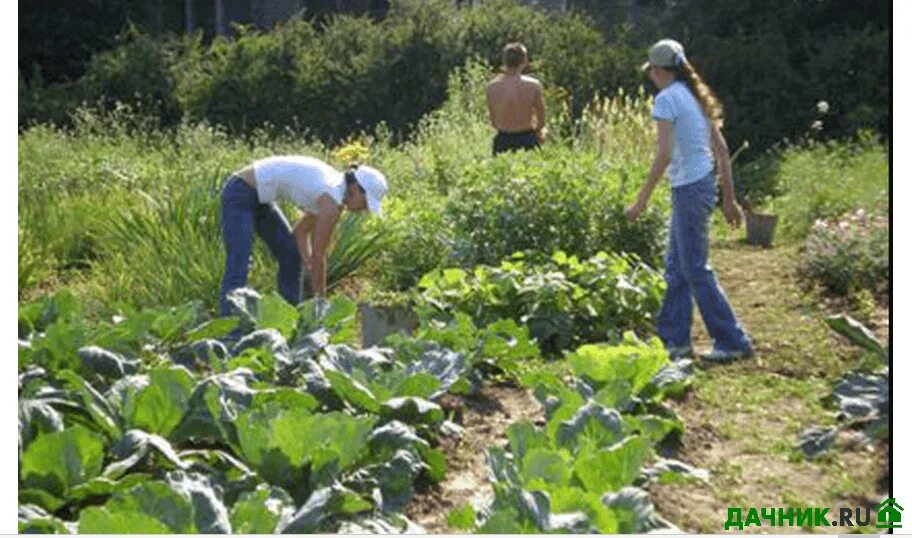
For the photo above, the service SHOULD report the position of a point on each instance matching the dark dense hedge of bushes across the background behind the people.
(327, 78)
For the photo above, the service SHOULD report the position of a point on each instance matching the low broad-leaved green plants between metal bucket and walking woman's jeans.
(564, 301)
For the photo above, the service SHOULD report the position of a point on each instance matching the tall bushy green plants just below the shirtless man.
(555, 199)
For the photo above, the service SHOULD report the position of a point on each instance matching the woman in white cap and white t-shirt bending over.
(316, 188)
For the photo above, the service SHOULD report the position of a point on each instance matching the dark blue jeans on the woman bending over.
(242, 215)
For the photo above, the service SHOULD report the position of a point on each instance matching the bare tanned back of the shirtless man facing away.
(515, 103)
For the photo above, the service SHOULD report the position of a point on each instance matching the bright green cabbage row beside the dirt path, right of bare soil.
(554, 479)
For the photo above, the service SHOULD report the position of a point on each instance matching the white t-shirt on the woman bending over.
(298, 179)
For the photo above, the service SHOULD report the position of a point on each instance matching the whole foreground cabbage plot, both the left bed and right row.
(157, 423)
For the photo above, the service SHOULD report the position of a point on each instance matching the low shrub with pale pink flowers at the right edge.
(850, 256)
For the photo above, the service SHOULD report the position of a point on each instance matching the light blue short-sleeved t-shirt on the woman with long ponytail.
(691, 156)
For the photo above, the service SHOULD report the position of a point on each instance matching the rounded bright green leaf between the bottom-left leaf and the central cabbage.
(159, 407)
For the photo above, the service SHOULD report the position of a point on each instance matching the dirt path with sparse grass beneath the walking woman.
(758, 408)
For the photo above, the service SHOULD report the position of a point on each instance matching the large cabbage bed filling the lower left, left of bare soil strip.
(156, 422)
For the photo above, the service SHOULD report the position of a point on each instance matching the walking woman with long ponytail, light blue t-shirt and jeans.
(688, 119)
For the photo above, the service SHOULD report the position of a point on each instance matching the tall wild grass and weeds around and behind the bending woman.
(124, 213)
